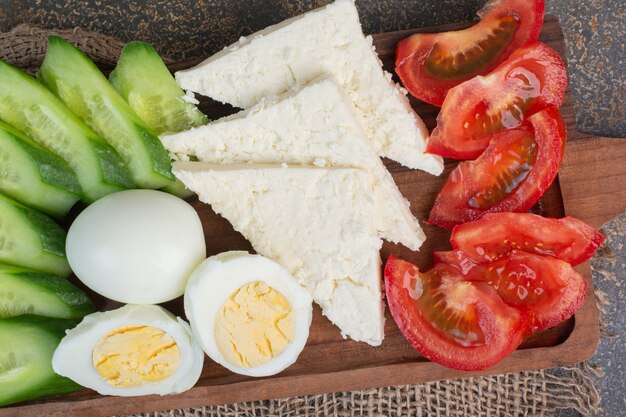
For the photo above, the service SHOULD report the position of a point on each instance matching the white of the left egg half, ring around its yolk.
(73, 356)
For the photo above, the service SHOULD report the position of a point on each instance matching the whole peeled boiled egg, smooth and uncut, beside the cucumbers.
(136, 246)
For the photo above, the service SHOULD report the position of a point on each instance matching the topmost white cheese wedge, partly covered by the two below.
(327, 41)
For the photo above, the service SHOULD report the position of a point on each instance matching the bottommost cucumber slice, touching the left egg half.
(27, 344)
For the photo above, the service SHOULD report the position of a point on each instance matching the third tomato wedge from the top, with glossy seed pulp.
(511, 175)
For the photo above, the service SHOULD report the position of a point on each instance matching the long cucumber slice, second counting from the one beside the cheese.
(76, 80)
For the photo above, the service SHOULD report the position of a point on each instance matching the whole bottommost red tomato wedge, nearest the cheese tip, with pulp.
(458, 324)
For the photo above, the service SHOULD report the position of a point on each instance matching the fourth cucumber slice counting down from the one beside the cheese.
(34, 176)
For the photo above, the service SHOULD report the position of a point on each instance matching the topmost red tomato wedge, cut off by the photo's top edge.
(429, 64)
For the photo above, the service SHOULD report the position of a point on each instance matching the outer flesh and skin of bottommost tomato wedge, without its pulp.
(503, 327)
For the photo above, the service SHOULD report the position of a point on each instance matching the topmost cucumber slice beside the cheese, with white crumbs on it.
(147, 85)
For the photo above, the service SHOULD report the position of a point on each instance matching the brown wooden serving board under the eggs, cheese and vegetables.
(590, 186)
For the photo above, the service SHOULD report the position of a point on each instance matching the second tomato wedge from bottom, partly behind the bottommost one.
(545, 288)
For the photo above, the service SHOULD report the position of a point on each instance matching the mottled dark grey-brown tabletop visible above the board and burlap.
(594, 30)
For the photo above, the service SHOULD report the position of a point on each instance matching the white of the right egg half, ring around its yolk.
(218, 278)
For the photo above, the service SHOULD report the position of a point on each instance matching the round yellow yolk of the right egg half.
(254, 325)
